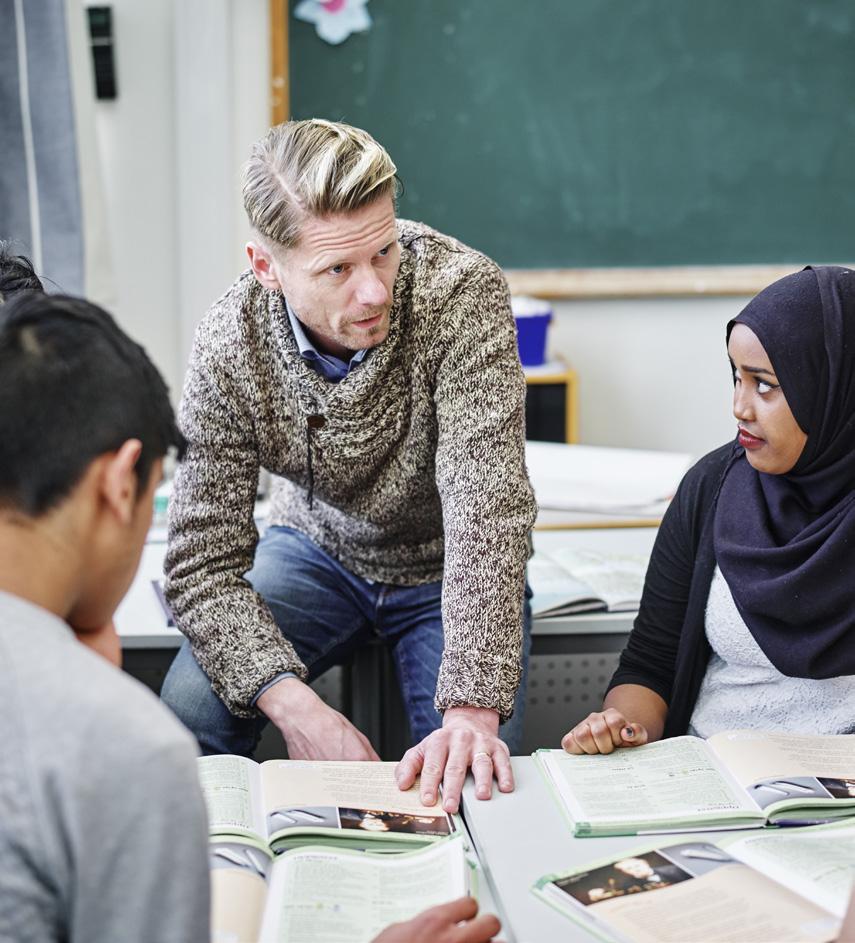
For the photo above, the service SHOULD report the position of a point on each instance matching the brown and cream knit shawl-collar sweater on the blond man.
(410, 470)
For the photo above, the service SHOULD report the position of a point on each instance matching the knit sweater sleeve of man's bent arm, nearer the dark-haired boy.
(212, 540)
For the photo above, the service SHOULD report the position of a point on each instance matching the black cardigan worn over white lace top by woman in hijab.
(667, 649)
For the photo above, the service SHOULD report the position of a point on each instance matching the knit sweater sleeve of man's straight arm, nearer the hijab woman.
(487, 501)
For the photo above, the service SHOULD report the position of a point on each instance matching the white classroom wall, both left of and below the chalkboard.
(192, 81)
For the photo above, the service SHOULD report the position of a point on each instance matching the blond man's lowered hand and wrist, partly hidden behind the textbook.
(312, 730)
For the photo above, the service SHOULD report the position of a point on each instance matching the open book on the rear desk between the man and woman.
(566, 581)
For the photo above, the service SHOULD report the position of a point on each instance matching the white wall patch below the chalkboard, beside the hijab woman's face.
(652, 373)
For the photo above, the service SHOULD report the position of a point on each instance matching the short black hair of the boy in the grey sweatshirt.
(73, 386)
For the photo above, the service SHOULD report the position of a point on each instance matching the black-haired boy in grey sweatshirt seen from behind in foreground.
(103, 834)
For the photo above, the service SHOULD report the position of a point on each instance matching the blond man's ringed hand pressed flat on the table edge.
(469, 736)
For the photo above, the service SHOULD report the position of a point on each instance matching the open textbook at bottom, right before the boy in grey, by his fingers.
(319, 893)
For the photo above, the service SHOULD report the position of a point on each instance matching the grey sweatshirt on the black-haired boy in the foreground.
(103, 833)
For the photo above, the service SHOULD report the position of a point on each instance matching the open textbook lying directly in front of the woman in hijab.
(735, 779)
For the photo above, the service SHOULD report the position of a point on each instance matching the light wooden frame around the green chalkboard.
(566, 283)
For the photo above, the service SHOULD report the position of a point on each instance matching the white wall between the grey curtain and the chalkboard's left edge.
(192, 78)
